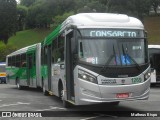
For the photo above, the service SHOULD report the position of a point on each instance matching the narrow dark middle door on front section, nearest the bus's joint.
(49, 67)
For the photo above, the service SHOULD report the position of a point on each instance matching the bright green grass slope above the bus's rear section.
(28, 37)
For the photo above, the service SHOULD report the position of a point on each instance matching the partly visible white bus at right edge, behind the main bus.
(154, 54)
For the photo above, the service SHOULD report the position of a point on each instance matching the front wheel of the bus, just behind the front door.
(61, 95)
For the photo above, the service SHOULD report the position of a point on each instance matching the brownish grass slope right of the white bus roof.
(152, 25)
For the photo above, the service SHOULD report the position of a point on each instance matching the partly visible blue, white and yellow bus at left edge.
(3, 72)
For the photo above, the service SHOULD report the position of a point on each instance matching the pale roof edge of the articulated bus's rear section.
(24, 50)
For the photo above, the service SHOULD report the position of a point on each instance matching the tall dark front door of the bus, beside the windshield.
(69, 67)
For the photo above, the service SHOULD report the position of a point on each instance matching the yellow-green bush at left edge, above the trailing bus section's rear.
(5, 50)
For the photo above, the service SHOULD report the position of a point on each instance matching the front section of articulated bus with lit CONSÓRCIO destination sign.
(96, 57)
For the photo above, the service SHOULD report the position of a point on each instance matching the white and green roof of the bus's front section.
(95, 20)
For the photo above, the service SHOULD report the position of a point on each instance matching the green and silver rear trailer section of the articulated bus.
(23, 67)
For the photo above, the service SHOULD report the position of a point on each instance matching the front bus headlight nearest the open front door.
(87, 76)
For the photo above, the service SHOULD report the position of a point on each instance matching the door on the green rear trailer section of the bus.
(30, 69)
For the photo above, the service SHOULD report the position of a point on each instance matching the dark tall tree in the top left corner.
(8, 19)
